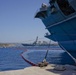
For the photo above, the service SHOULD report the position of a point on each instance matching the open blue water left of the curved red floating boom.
(10, 59)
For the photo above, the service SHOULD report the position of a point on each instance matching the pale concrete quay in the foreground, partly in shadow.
(49, 70)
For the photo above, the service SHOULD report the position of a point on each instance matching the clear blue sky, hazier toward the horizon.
(17, 22)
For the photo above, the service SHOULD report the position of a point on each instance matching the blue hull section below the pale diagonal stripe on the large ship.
(65, 34)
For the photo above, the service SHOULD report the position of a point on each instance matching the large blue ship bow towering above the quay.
(60, 21)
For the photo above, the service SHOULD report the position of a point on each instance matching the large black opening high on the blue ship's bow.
(65, 7)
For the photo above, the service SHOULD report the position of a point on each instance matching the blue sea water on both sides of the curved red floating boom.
(10, 58)
